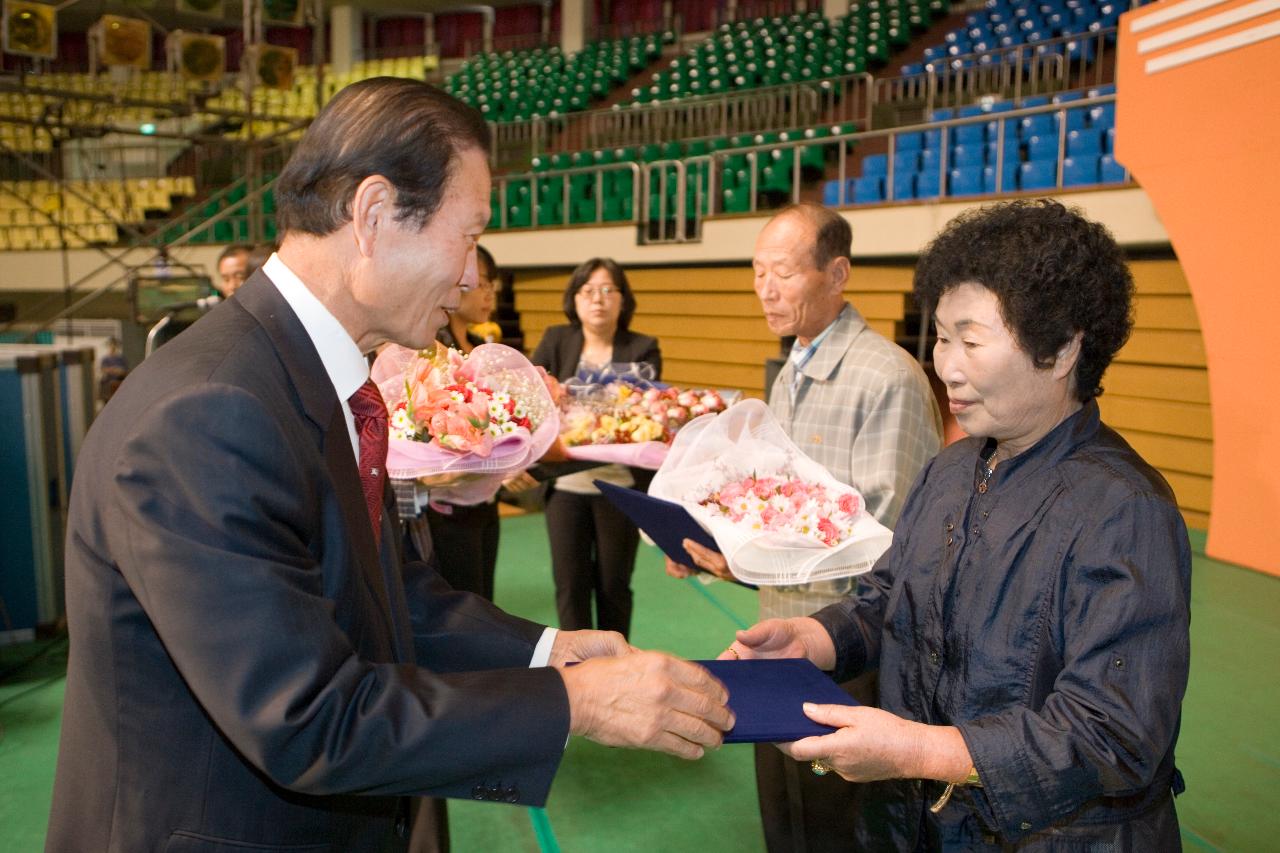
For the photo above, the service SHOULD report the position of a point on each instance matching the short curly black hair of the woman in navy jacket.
(1054, 272)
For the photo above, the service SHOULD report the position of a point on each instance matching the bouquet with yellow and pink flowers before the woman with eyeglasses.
(624, 418)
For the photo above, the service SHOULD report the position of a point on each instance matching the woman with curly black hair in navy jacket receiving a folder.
(1030, 622)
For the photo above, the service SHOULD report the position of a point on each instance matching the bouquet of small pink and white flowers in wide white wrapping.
(778, 517)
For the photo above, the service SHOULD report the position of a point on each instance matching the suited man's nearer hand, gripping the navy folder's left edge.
(648, 701)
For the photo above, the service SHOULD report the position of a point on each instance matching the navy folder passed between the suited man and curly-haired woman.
(767, 696)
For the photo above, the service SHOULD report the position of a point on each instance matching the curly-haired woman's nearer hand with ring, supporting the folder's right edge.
(872, 745)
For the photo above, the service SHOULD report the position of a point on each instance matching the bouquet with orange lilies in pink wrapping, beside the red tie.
(486, 416)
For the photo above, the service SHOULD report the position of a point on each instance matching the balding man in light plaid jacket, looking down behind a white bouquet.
(861, 407)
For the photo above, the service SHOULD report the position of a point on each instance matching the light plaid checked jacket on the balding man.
(865, 410)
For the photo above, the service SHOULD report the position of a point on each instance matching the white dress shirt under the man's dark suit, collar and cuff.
(348, 371)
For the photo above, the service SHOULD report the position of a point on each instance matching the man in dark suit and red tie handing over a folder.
(252, 667)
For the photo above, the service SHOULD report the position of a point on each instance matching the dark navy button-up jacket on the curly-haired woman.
(1048, 619)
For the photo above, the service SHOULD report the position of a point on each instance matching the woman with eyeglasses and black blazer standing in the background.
(593, 545)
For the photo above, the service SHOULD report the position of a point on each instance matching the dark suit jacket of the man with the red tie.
(243, 658)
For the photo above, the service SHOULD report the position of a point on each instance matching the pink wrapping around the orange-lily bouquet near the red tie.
(501, 370)
